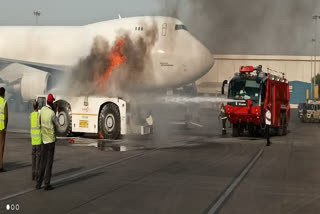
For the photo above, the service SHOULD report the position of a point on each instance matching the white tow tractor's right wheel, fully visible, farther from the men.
(109, 121)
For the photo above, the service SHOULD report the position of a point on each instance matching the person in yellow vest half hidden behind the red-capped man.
(35, 140)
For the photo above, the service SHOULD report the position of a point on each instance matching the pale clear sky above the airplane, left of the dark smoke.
(72, 12)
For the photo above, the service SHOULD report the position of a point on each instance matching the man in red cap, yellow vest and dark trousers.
(48, 123)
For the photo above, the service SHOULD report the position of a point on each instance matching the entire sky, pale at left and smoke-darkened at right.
(281, 27)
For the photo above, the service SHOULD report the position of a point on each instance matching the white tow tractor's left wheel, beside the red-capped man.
(64, 120)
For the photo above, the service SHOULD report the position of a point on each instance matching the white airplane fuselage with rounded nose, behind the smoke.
(174, 57)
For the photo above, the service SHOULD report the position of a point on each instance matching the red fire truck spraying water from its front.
(249, 93)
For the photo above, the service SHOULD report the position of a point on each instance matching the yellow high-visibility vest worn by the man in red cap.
(47, 127)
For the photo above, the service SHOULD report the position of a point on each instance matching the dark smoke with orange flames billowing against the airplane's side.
(115, 68)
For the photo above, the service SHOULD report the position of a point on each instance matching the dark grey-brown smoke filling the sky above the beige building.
(249, 26)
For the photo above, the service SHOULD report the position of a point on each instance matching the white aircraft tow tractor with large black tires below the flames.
(108, 117)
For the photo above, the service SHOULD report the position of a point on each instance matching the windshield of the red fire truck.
(244, 89)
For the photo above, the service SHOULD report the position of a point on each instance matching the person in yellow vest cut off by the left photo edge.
(3, 125)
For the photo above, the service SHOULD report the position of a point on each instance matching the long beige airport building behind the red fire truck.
(297, 69)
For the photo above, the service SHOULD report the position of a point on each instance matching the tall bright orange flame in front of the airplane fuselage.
(116, 58)
